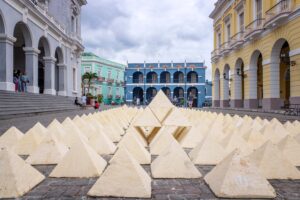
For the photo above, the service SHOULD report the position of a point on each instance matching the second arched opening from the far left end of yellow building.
(226, 87)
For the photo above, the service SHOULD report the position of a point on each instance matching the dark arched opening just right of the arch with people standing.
(44, 52)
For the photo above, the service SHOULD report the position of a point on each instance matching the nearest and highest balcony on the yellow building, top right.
(278, 13)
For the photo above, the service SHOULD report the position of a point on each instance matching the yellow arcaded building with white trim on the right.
(256, 57)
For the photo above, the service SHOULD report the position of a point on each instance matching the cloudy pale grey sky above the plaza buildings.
(149, 30)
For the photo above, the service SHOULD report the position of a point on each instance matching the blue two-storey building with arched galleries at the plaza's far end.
(177, 80)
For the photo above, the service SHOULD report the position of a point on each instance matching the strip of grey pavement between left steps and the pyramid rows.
(25, 123)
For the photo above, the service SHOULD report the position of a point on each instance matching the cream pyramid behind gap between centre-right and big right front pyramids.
(208, 152)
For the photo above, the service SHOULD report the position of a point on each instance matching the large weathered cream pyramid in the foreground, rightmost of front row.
(237, 177)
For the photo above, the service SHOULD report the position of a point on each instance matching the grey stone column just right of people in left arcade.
(31, 66)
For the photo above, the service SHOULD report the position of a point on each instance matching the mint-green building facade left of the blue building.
(110, 82)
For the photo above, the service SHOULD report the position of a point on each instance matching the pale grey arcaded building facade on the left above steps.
(42, 39)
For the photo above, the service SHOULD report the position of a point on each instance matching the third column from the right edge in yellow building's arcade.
(251, 101)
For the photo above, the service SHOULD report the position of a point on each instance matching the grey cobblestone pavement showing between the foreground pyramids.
(162, 189)
